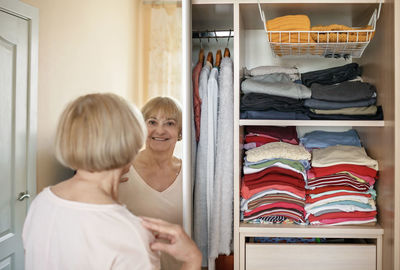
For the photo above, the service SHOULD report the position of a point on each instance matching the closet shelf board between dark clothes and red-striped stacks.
(306, 123)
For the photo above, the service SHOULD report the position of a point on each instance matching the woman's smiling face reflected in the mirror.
(163, 132)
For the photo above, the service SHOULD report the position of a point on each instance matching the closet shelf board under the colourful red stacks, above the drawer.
(289, 230)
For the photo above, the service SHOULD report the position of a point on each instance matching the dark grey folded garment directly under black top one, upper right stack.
(346, 91)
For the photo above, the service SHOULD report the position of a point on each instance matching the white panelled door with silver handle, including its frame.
(15, 134)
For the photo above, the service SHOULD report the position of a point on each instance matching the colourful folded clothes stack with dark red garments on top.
(273, 184)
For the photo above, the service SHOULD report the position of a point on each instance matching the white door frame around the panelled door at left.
(31, 14)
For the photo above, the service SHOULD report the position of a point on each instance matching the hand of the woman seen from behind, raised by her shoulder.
(172, 239)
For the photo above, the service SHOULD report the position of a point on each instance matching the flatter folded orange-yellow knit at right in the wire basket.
(359, 36)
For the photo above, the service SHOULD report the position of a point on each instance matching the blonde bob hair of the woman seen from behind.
(99, 132)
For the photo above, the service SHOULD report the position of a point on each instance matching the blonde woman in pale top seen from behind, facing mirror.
(79, 223)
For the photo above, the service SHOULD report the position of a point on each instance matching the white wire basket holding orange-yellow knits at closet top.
(336, 43)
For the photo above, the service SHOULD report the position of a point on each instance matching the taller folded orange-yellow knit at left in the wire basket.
(289, 23)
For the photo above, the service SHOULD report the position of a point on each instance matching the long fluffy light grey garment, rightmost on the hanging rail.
(222, 210)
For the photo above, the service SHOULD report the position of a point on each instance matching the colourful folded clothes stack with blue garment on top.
(340, 184)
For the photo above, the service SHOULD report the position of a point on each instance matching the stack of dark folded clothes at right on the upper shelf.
(338, 94)
